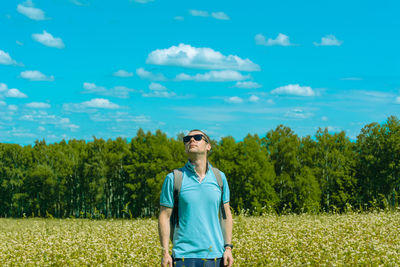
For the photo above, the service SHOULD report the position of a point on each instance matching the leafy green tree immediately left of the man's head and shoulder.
(152, 158)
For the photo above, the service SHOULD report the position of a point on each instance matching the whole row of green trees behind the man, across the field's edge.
(280, 172)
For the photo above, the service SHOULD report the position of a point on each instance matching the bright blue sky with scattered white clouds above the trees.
(84, 68)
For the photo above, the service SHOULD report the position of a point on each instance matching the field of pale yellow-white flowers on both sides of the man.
(370, 239)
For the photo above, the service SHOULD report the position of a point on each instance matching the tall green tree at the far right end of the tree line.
(378, 162)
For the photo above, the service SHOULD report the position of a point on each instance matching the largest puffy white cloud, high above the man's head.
(201, 58)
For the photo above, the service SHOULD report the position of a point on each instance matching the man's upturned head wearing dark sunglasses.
(197, 142)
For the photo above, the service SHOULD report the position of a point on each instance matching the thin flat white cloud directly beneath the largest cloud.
(213, 76)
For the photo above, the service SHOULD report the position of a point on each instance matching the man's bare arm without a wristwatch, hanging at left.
(164, 232)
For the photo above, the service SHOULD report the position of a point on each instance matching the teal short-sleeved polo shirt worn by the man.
(199, 234)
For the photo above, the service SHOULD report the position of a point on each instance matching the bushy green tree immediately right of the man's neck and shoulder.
(249, 173)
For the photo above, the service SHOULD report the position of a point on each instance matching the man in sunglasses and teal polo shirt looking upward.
(201, 239)
